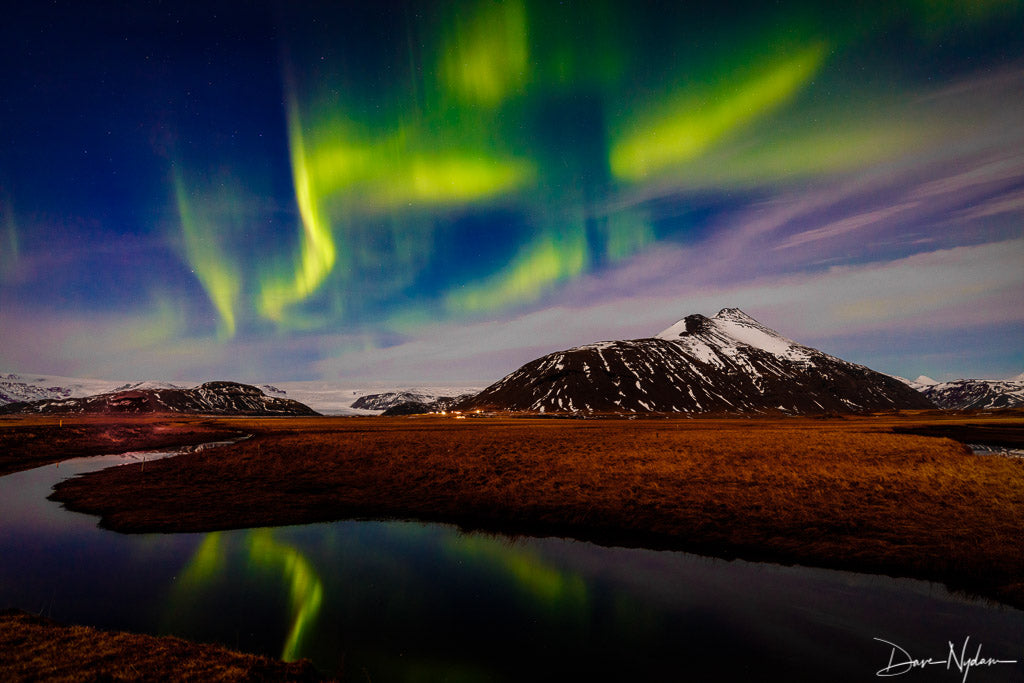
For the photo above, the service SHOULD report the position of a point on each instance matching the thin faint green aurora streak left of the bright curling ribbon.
(211, 265)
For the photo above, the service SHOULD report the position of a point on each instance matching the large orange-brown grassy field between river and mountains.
(838, 493)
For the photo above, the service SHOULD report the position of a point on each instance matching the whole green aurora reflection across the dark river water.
(224, 561)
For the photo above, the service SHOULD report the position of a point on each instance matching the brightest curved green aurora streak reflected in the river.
(306, 590)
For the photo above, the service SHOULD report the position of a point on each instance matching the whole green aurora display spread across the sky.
(489, 127)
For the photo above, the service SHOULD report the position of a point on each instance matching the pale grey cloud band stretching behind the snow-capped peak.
(966, 286)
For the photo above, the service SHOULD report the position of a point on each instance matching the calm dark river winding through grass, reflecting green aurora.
(404, 602)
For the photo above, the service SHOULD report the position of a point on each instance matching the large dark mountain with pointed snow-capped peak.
(727, 364)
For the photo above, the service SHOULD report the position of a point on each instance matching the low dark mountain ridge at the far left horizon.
(209, 399)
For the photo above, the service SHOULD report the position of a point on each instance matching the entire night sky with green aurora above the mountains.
(440, 192)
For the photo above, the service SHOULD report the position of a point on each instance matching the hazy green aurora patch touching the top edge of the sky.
(486, 58)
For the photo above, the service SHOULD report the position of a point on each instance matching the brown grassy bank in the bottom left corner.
(33, 649)
